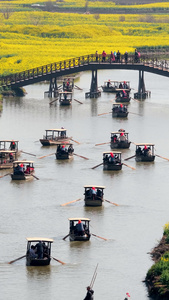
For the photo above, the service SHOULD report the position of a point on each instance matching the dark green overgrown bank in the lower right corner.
(157, 278)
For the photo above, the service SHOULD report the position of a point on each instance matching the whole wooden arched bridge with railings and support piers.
(50, 72)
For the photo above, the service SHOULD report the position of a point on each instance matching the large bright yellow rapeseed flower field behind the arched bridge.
(29, 39)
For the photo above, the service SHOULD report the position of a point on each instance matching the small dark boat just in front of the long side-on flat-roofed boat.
(64, 151)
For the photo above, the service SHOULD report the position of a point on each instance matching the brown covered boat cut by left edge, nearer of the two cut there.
(6, 159)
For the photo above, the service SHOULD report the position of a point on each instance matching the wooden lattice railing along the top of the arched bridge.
(74, 63)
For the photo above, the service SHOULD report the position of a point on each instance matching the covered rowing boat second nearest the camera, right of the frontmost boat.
(78, 233)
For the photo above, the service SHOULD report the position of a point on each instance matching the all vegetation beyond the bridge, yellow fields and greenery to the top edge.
(34, 34)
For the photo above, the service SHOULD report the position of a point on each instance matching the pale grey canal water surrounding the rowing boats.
(30, 209)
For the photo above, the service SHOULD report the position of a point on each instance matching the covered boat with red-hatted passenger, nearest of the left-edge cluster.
(22, 170)
